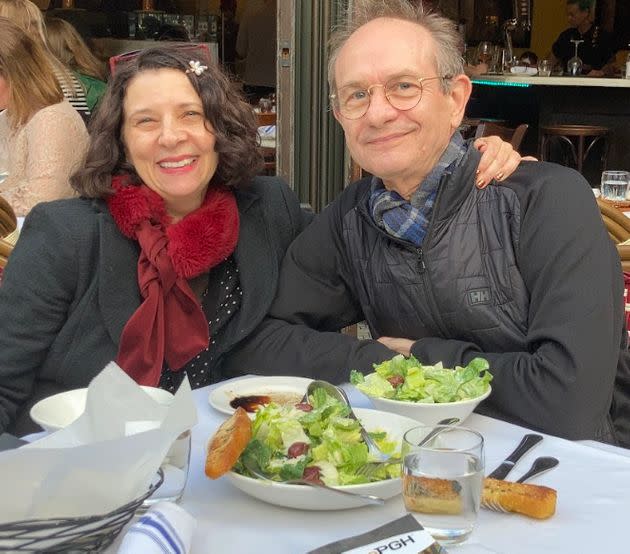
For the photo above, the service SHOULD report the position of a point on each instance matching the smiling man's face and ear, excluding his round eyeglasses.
(400, 147)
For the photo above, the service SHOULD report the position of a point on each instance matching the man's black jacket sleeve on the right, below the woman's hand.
(563, 383)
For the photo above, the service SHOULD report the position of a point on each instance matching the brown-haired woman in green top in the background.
(67, 45)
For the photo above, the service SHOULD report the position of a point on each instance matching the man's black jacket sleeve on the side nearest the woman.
(314, 301)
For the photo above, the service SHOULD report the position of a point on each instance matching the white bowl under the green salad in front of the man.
(429, 414)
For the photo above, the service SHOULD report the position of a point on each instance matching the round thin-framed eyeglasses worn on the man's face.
(403, 93)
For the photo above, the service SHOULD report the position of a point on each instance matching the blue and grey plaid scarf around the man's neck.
(409, 220)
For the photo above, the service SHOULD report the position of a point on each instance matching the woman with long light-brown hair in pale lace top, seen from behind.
(46, 139)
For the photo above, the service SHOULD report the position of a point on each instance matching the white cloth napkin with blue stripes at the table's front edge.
(166, 528)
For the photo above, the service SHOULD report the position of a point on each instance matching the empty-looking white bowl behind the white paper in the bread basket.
(60, 410)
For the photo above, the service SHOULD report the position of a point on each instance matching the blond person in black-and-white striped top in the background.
(28, 17)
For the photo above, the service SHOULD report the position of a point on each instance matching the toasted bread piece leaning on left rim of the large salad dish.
(228, 443)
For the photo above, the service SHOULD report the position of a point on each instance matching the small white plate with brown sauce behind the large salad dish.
(221, 397)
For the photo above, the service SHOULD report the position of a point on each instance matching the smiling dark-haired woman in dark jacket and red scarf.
(170, 258)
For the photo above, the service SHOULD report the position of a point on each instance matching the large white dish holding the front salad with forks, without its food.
(312, 498)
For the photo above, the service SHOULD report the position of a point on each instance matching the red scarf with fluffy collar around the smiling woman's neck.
(169, 324)
